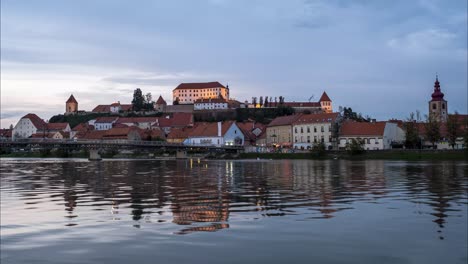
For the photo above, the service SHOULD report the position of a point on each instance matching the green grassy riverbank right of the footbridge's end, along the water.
(381, 155)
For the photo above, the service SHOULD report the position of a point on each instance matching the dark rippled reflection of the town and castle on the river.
(198, 195)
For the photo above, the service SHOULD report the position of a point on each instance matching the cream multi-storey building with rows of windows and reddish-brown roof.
(309, 129)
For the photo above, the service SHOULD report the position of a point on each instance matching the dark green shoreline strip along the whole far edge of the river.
(403, 155)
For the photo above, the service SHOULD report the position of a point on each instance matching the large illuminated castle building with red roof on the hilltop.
(187, 93)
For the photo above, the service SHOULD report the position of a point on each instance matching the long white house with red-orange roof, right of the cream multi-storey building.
(374, 135)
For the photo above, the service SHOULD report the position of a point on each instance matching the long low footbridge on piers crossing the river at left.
(94, 146)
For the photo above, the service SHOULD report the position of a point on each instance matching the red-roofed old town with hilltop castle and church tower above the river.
(204, 114)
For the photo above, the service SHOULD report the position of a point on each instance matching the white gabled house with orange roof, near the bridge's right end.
(218, 134)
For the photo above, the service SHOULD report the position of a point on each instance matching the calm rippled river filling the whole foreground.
(74, 211)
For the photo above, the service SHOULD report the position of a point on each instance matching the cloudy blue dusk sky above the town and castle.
(379, 57)
